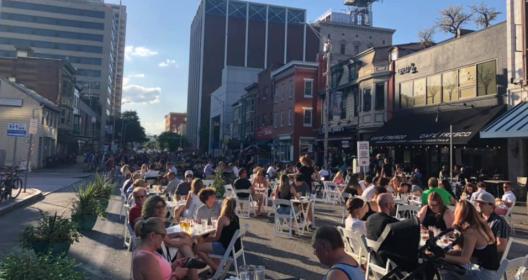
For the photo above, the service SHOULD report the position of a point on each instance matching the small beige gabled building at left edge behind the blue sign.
(19, 104)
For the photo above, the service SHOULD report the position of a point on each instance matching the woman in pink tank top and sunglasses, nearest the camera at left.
(147, 264)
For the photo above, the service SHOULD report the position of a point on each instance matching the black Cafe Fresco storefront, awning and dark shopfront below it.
(423, 140)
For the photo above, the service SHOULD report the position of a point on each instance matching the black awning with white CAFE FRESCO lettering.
(432, 128)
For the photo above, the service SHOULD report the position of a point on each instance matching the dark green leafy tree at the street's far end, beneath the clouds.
(129, 128)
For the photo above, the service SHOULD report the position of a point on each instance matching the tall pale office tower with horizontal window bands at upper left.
(87, 33)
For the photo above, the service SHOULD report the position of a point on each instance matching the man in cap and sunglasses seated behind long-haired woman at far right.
(485, 203)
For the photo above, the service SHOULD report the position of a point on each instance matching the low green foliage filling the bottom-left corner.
(27, 265)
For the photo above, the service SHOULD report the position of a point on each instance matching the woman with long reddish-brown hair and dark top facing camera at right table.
(435, 213)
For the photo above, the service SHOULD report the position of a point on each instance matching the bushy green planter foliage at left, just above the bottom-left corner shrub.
(50, 229)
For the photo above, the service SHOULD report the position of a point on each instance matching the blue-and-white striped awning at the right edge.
(511, 124)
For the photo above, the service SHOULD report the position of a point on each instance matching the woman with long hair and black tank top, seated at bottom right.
(478, 246)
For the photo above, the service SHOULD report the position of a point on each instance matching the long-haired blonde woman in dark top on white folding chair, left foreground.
(226, 228)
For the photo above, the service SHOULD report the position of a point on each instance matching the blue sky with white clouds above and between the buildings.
(158, 44)
